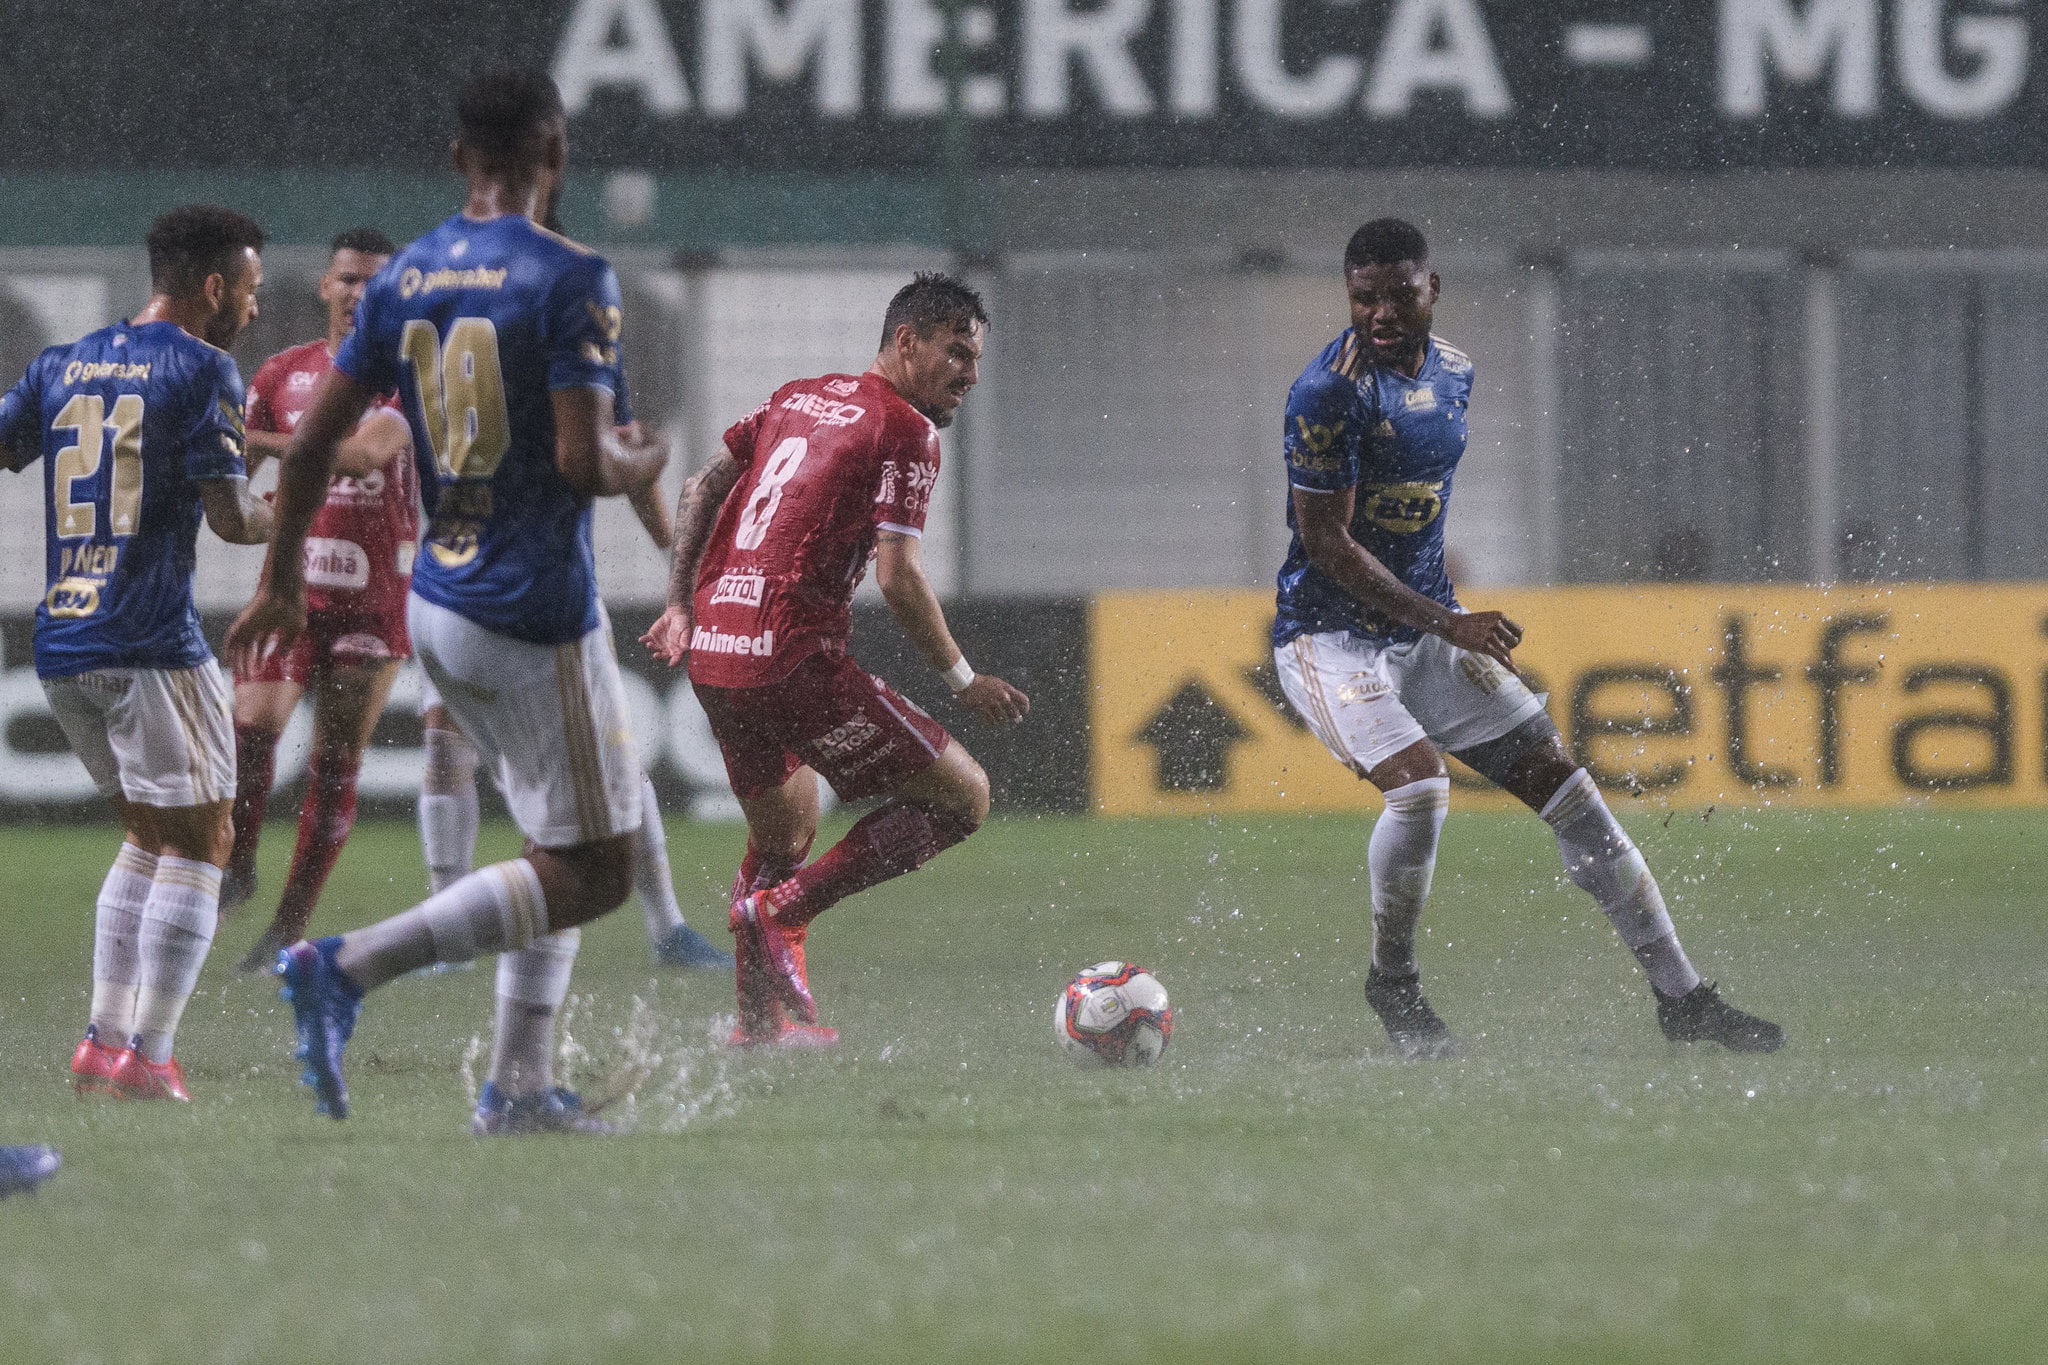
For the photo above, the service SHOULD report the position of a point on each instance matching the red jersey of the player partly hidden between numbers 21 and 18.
(364, 539)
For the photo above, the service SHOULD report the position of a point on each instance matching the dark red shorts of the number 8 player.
(830, 715)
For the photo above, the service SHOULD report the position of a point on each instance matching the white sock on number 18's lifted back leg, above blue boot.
(493, 910)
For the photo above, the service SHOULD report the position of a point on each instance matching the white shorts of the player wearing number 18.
(552, 719)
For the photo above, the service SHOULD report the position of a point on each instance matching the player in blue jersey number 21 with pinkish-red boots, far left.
(142, 431)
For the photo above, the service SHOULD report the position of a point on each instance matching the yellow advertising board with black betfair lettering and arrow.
(1701, 695)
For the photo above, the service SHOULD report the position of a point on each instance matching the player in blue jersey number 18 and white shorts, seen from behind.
(505, 345)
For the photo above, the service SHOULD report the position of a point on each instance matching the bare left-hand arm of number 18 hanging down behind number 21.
(278, 613)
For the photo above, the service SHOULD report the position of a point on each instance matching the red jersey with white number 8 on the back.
(824, 466)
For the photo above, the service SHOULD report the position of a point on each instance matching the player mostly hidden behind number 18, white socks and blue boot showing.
(450, 813)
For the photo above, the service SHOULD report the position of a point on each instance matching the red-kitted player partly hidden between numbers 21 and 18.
(357, 570)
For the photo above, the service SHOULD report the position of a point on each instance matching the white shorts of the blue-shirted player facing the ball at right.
(1369, 703)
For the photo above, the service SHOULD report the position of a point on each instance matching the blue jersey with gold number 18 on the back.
(476, 324)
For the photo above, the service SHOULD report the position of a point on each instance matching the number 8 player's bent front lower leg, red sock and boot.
(925, 818)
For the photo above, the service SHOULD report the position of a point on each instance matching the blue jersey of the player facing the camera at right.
(1394, 439)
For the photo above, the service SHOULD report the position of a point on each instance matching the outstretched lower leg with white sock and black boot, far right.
(1607, 865)
